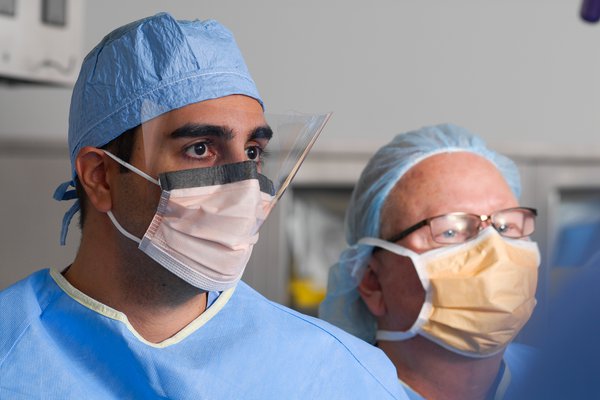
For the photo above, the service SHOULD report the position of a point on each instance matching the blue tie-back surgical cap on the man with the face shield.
(156, 60)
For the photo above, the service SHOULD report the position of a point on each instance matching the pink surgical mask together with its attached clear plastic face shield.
(221, 168)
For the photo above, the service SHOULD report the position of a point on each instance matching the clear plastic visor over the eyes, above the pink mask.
(210, 135)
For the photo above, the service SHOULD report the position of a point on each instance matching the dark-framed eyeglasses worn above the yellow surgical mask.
(459, 227)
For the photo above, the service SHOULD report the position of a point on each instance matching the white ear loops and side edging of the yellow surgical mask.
(426, 308)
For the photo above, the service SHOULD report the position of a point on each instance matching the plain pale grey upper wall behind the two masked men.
(521, 73)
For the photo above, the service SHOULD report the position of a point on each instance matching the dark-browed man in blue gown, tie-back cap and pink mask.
(166, 134)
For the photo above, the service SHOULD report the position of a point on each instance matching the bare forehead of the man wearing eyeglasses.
(444, 183)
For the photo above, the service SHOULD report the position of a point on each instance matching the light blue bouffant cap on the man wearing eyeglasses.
(343, 306)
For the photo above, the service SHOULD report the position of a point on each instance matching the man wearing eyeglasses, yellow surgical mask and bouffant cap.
(440, 272)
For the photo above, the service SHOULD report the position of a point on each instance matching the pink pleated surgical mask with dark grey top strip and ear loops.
(206, 222)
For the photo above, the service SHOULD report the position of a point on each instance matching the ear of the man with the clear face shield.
(92, 170)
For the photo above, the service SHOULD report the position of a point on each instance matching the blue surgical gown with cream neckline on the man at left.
(58, 343)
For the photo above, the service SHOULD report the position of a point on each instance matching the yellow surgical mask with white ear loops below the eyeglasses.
(479, 294)
